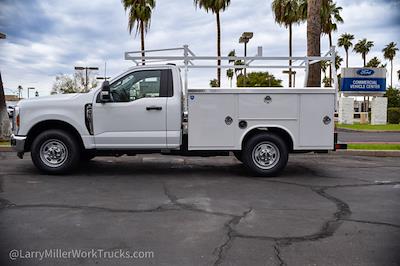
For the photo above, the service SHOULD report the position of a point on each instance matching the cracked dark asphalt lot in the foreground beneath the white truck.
(323, 210)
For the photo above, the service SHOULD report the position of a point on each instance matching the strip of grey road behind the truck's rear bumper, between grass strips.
(363, 136)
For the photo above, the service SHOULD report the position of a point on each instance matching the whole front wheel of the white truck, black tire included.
(51, 142)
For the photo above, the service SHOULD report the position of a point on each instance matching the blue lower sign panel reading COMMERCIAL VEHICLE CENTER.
(364, 84)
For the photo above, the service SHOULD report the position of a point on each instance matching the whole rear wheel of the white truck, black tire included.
(265, 154)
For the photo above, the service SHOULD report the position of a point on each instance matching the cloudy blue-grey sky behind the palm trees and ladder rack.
(50, 37)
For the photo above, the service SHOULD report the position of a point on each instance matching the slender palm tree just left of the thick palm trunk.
(287, 13)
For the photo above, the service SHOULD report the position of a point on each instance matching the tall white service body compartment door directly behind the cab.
(209, 123)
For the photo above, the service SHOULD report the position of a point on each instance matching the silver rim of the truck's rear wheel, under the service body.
(266, 155)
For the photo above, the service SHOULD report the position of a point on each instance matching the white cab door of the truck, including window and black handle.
(137, 114)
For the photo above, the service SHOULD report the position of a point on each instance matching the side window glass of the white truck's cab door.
(137, 85)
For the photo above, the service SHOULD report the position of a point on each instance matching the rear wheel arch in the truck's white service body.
(280, 131)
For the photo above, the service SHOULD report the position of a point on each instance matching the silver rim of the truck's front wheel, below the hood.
(53, 153)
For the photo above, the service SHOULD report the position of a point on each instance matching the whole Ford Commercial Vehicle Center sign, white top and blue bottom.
(363, 80)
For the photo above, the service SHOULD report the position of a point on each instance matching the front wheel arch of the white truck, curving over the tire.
(51, 124)
